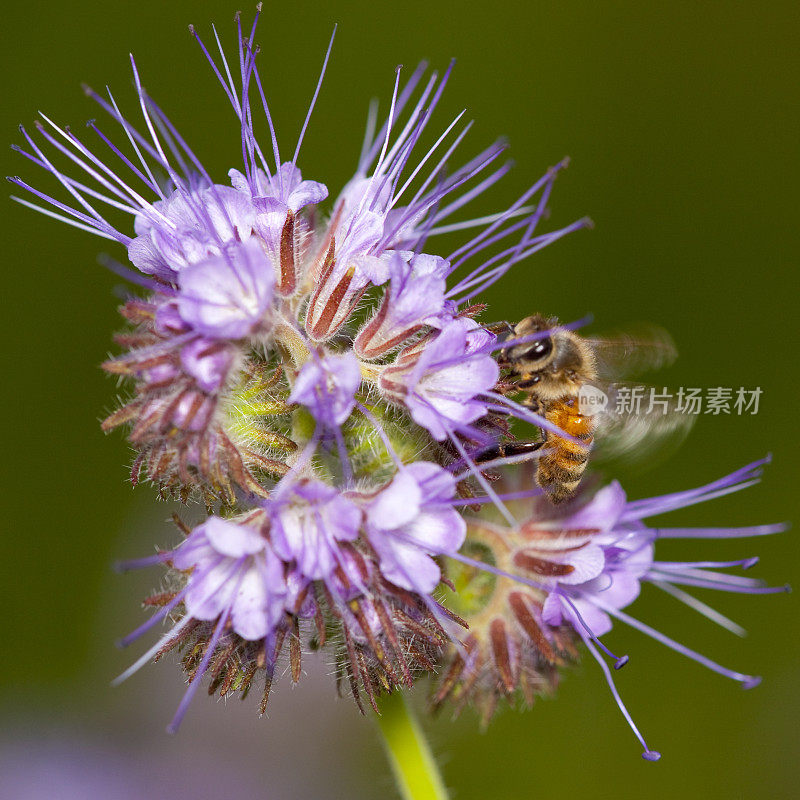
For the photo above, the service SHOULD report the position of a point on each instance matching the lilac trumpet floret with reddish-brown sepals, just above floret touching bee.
(415, 298)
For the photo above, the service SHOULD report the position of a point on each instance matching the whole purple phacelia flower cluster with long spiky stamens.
(316, 376)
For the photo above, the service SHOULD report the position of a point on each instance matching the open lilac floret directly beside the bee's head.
(442, 385)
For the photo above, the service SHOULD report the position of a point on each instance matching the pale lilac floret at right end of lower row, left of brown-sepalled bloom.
(411, 519)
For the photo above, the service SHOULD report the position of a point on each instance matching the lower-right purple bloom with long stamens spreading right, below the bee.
(571, 572)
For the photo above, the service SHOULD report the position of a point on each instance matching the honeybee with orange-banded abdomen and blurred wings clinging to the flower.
(552, 371)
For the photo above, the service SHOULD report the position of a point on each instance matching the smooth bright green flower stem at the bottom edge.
(413, 764)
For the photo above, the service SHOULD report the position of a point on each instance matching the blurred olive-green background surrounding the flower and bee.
(681, 120)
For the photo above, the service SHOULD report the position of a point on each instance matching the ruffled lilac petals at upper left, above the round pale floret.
(189, 227)
